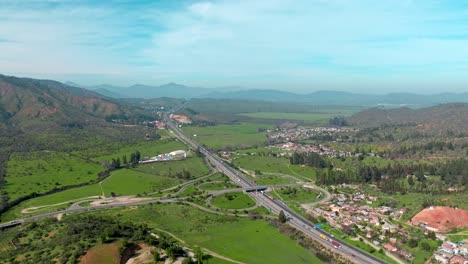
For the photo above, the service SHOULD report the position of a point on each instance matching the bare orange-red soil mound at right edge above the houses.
(442, 218)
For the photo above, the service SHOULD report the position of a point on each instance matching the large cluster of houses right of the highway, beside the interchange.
(346, 211)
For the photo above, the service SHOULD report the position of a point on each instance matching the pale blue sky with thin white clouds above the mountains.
(302, 45)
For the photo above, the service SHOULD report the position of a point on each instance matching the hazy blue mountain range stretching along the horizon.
(317, 98)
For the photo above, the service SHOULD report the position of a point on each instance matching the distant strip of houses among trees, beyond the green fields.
(302, 133)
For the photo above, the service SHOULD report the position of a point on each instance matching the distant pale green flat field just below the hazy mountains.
(309, 118)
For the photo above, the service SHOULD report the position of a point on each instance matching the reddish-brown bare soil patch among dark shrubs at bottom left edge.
(102, 254)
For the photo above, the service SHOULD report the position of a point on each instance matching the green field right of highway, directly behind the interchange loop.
(276, 165)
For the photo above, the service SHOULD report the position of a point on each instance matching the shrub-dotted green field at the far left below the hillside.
(43, 171)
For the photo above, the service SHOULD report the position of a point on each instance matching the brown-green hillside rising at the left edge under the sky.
(26, 101)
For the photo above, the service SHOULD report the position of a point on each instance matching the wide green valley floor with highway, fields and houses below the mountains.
(311, 161)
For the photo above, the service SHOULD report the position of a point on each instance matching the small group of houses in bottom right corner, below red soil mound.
(451, 253)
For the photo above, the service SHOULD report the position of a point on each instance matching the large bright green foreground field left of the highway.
(249, 241)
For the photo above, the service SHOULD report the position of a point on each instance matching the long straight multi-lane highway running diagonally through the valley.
(297, 221)
